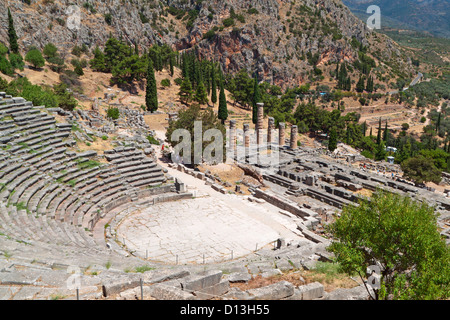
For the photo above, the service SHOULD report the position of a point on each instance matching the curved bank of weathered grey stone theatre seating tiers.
(51, 197)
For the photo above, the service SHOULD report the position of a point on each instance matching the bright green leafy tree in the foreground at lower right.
(399, 235)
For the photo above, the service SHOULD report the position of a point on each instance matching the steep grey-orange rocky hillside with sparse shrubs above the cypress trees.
(284, 41)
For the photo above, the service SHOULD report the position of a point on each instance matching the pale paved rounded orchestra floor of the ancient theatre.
(202, 230)
